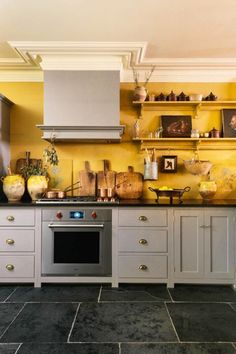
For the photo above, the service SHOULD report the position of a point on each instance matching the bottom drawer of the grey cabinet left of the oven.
(16, 266)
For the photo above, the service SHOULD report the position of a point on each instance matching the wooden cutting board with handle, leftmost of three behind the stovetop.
(87, 180)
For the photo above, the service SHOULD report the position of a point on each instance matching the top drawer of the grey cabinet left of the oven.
(17, 217)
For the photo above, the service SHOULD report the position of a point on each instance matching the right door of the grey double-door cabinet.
(219, 243)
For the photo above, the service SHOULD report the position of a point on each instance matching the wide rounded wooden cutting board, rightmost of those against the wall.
(129, 185)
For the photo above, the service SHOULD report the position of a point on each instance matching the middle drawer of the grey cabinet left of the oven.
(13, 240)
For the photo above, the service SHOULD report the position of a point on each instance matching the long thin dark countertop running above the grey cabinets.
(132, 203)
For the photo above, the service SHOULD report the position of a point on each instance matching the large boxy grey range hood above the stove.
(82, 106)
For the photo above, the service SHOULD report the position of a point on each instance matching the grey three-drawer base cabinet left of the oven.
(17, 245)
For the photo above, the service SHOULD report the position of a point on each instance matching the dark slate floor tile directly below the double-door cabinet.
(208, 293)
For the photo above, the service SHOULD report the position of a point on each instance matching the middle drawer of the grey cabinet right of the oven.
(142, 240)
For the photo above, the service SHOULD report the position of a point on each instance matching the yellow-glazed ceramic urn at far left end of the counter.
(13, 187)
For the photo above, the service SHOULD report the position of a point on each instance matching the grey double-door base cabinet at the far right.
(204, 241)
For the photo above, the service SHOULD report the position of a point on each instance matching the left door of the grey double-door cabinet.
(188, 244)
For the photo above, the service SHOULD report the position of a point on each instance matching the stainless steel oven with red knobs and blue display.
(76, 241)
